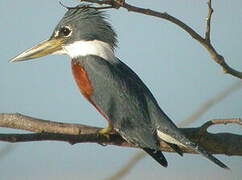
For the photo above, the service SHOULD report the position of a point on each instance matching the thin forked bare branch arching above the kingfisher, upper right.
(205, 42)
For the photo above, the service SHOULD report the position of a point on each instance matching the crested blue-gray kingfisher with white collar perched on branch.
(115, 91)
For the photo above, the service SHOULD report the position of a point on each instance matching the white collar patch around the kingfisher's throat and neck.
(84, 48)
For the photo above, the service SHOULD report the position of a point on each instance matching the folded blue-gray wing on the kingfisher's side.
(120, 94)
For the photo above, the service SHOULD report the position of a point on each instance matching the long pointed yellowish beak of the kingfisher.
(44, 48)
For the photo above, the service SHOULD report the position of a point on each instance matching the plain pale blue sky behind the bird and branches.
(176, 68)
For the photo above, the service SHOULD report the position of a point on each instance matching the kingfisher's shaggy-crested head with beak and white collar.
(82, 31)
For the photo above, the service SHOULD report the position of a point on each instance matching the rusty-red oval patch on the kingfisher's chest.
(82, 80)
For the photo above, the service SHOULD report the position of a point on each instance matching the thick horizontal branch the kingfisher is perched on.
(219, 143)
